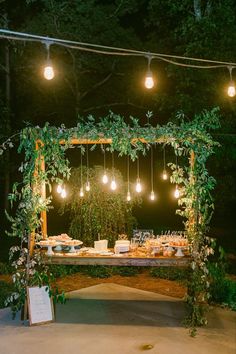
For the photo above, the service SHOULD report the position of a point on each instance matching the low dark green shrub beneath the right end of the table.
(170, 273)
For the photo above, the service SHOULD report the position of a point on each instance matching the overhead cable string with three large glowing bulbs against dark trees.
(149, 82)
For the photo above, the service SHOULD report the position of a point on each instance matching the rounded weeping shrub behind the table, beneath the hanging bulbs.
(100, 211)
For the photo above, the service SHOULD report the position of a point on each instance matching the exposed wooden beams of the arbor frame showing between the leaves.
(75, 141)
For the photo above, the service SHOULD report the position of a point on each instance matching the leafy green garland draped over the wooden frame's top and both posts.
(188, 138)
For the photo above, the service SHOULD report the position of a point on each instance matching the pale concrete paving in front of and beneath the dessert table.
(114, 319)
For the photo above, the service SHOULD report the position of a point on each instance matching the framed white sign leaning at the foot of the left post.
(40, 305)
